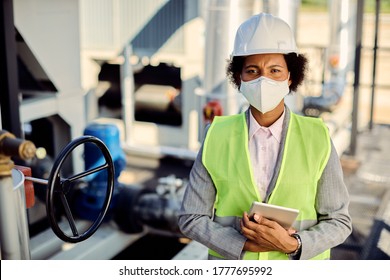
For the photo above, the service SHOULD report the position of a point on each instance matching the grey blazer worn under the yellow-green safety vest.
(334, 222)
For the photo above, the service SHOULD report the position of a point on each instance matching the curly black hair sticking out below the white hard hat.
(296, 64)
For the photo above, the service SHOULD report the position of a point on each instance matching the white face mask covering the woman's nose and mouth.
(264, 93)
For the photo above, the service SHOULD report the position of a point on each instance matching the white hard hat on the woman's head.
(264, 33)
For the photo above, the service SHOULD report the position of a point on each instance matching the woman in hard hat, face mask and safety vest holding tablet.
(266, 154)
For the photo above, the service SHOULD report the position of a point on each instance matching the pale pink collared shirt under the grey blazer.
(264, 144)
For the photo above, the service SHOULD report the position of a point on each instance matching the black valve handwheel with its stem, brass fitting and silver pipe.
(13, 228)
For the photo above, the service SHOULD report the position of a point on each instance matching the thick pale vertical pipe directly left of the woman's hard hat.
(222, 19)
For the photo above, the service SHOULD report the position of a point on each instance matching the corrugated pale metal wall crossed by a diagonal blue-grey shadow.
(106, 25)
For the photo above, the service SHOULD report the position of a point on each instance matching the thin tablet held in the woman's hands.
(282, 215)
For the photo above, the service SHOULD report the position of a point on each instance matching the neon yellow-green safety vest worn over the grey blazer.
(226, 158)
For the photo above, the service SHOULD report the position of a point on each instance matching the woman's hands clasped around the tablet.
(265, 235)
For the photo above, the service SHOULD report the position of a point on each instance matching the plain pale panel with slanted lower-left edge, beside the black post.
(51, 30)
